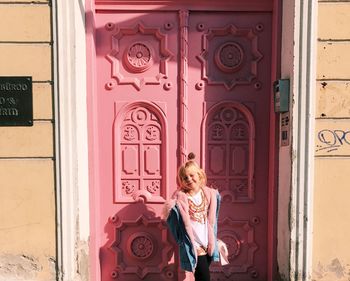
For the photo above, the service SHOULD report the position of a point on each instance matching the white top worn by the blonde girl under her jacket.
(200, 230)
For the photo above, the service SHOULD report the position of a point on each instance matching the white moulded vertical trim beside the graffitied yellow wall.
(304, 96)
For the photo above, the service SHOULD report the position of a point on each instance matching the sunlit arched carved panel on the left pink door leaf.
(140, 135)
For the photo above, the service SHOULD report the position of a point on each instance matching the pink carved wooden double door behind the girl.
(169, 82)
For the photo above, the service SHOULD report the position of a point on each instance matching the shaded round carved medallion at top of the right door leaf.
(229, 57)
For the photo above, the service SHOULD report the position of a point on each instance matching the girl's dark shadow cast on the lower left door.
(139, 247)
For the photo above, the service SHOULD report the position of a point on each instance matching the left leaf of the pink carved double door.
(137, 101)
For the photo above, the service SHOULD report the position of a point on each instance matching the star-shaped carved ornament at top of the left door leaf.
(138, 57)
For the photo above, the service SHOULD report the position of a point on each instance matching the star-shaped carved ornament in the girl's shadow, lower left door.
(141, 246)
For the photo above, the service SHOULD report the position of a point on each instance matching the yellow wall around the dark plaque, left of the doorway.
(27, 188)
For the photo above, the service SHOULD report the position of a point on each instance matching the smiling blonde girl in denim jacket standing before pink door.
(192, 217)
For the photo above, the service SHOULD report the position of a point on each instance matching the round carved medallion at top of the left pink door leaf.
(138, 57)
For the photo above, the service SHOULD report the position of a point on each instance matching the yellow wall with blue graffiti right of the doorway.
(331, 255)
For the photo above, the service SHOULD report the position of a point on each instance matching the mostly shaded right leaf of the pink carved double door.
(230, 58)
